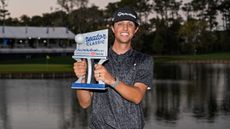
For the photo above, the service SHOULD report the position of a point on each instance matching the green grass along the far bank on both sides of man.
(64, 63)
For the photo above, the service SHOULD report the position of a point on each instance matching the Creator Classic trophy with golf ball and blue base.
(91, 45)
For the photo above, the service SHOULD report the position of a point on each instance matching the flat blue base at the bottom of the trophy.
(88, 86)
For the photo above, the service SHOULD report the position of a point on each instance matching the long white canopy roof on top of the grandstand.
(26, 32)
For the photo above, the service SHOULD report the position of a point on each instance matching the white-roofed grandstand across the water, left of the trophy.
(25, 39)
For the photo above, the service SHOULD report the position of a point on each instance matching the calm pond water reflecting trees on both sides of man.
(185, 96)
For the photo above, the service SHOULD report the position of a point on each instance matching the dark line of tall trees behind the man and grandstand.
(167, 26)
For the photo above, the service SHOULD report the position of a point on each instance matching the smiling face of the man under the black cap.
(124, 31)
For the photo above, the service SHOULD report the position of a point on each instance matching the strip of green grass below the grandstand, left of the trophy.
(35, 65)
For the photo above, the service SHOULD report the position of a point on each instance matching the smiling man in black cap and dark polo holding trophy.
(127, 73)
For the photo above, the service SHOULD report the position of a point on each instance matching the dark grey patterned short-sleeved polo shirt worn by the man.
(109, 109)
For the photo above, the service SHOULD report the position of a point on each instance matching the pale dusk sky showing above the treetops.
(37, 7)
